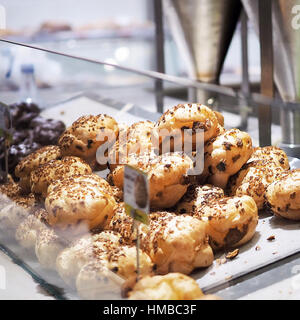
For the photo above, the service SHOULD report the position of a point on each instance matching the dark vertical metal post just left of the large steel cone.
(160, 55)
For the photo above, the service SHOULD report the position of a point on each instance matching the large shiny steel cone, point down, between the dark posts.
(203, 30)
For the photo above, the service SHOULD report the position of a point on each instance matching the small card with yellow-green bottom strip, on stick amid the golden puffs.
(136, 194)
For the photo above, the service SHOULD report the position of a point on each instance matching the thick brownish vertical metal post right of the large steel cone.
(267, 70)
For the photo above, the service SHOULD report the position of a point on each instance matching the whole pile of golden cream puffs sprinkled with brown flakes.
(75, 221)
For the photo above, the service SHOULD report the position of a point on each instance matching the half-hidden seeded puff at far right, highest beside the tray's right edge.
(271, 154)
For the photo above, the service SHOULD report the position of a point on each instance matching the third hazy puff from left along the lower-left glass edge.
(48, 246)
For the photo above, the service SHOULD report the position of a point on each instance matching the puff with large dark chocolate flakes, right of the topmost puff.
(225, 155)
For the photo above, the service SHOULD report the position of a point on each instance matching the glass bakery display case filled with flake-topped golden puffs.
(62, 215)
